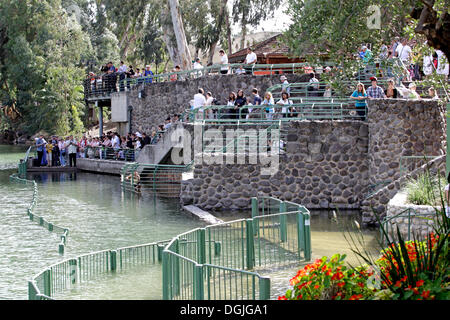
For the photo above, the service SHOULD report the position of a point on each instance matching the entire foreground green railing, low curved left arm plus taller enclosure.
(222, 261)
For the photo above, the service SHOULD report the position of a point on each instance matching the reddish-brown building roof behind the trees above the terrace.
(271, 47)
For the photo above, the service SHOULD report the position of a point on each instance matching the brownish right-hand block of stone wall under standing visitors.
(399, 127)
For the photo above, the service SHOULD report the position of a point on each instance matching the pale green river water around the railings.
(99, 216)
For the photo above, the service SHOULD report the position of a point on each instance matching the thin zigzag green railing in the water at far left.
(64, 232)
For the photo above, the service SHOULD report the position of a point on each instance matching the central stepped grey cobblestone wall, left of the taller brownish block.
(325, 166)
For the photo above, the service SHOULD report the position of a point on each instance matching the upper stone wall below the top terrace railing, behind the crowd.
(168, 98)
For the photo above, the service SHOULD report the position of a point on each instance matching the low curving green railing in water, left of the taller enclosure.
(71, 272)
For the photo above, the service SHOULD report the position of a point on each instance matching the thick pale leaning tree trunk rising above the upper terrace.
(178, 28)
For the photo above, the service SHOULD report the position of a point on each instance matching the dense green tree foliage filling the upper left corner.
(41, 65)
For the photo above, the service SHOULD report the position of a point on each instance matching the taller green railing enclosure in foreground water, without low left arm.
(222, 261)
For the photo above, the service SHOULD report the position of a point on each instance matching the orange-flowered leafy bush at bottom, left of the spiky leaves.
(330, 279)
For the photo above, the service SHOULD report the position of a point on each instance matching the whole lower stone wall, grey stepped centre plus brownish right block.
(330, 164)
